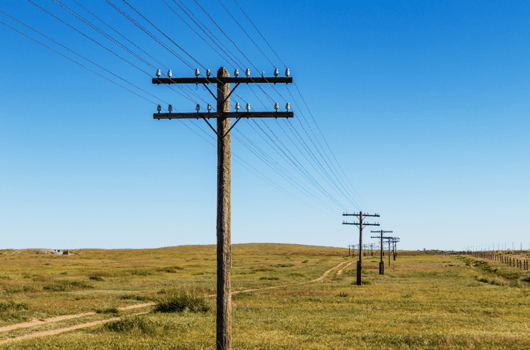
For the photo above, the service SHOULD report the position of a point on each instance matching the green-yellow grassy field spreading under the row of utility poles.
(422, 301)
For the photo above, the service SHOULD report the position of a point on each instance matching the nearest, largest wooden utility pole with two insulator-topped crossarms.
(224, 170)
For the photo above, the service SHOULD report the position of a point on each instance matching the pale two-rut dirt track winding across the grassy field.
(130, 307)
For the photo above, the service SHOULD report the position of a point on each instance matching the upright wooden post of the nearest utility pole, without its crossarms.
(224, 167)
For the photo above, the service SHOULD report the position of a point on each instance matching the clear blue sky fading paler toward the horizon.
(424, 104)
